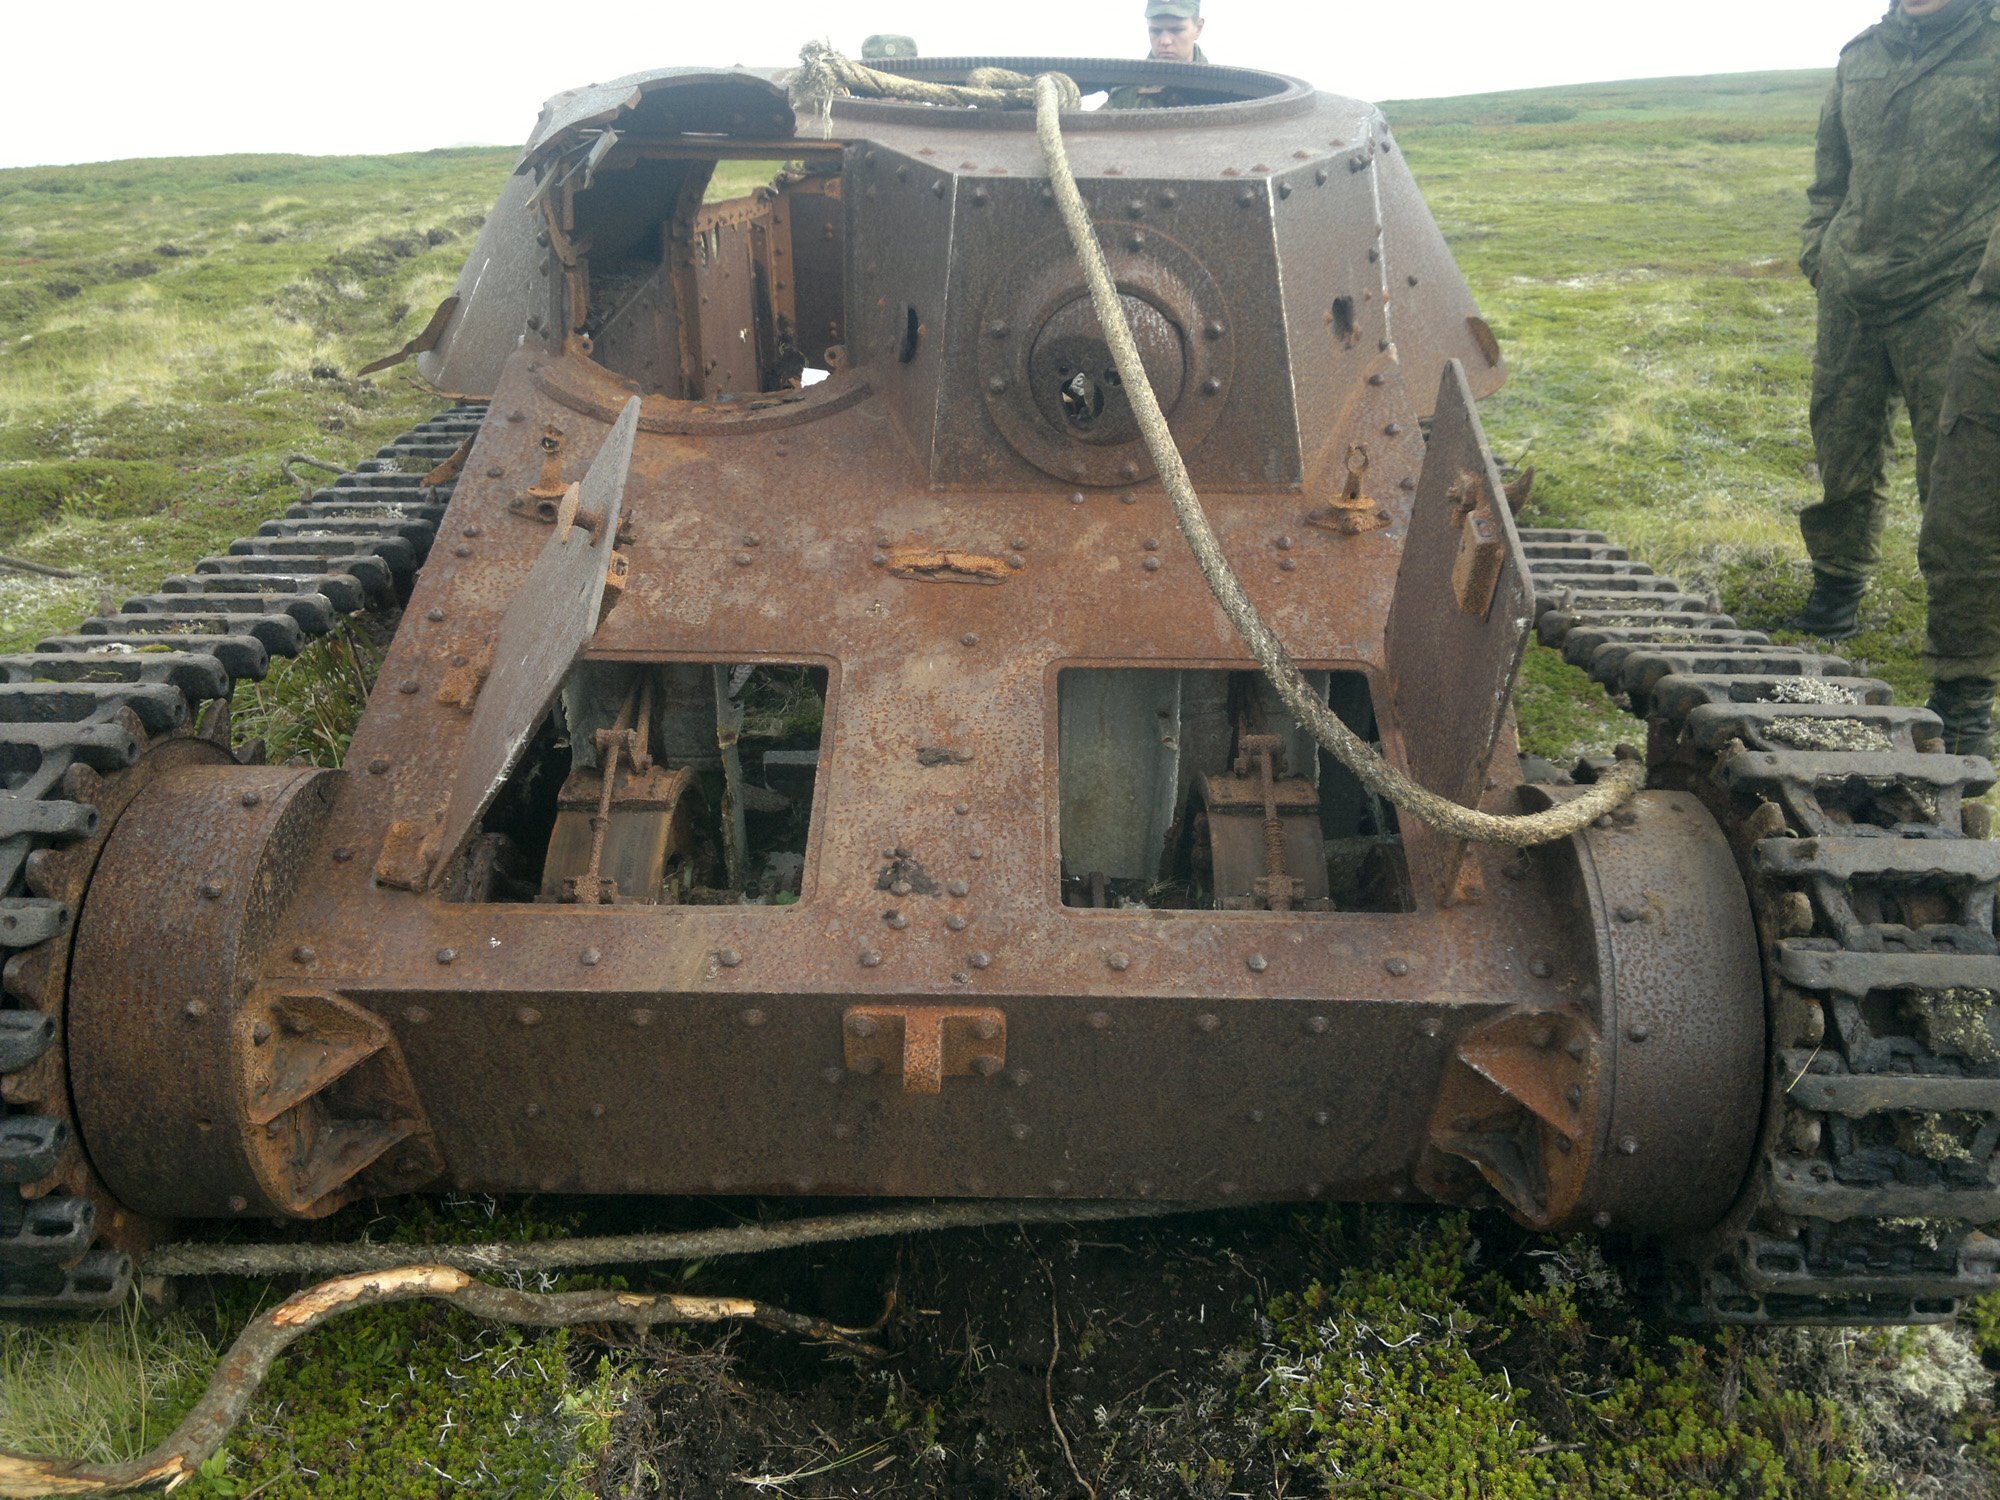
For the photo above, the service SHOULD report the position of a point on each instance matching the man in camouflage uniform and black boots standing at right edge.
(1905, 203)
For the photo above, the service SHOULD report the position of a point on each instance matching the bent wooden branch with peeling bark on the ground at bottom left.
(257, 1349)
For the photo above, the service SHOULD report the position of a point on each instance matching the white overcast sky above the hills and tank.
(117, 79)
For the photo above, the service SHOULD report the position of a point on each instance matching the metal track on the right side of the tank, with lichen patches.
(1873, 887)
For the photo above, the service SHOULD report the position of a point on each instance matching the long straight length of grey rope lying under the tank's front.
(635, 1249)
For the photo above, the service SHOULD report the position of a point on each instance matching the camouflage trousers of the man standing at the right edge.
(1949, 377)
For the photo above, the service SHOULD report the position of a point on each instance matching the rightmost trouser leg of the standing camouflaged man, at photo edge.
(1959, 547)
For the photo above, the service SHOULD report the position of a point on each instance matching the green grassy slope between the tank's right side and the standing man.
(1637, 261)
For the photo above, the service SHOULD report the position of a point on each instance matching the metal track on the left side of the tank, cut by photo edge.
(83, 707)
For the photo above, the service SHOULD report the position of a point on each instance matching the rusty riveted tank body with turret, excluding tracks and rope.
(943, 527)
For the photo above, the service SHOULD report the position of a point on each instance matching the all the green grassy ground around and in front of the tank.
(171, 331)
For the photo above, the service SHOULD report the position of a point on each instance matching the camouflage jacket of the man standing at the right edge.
(1907, 185)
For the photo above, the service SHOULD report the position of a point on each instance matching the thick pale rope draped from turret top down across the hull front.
(1349, 749)
